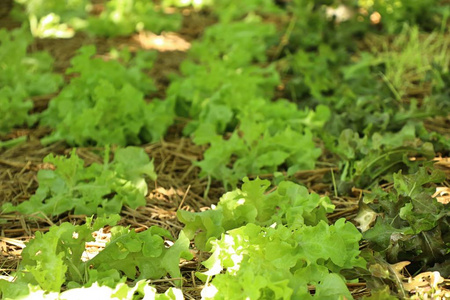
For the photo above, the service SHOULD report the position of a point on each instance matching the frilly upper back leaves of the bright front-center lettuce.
(290, 204)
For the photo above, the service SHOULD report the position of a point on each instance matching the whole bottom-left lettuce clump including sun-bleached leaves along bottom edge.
(54, 259)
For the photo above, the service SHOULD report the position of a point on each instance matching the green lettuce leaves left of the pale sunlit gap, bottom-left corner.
(51, 259)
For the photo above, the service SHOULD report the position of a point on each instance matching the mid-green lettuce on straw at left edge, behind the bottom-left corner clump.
(96, 189)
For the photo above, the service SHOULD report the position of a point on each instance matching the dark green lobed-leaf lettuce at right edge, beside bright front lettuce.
(411, 224)
